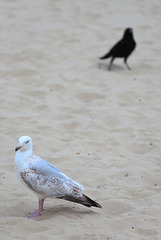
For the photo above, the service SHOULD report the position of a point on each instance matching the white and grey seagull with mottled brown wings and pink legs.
(45, 180)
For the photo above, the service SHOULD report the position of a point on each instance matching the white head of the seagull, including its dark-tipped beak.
(24, 143)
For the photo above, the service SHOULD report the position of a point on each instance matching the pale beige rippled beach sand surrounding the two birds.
(101, 128)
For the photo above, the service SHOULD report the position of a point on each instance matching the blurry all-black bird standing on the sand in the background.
(122, 49)
